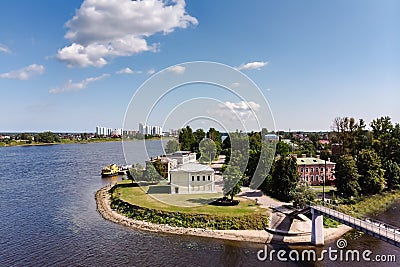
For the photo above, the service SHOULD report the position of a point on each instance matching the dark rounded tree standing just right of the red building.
(347, 176)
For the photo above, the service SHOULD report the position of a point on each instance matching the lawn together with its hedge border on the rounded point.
(133, 202)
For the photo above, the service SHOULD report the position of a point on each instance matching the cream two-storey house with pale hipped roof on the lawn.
(192, 178)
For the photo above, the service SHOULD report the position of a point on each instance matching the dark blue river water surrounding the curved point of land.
(48, 217)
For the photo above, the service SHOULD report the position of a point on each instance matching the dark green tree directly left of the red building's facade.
(284, 178)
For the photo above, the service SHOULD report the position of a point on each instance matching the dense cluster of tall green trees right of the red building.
(377, 154)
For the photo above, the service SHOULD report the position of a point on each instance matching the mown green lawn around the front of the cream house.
(186, 203)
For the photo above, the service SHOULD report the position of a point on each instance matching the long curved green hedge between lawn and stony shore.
(253, 222)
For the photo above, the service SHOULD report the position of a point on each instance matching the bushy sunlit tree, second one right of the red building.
(369, 167)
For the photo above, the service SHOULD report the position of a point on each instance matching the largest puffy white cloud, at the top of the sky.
(102, 29)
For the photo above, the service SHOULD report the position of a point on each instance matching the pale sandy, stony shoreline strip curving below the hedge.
(255, 236)
